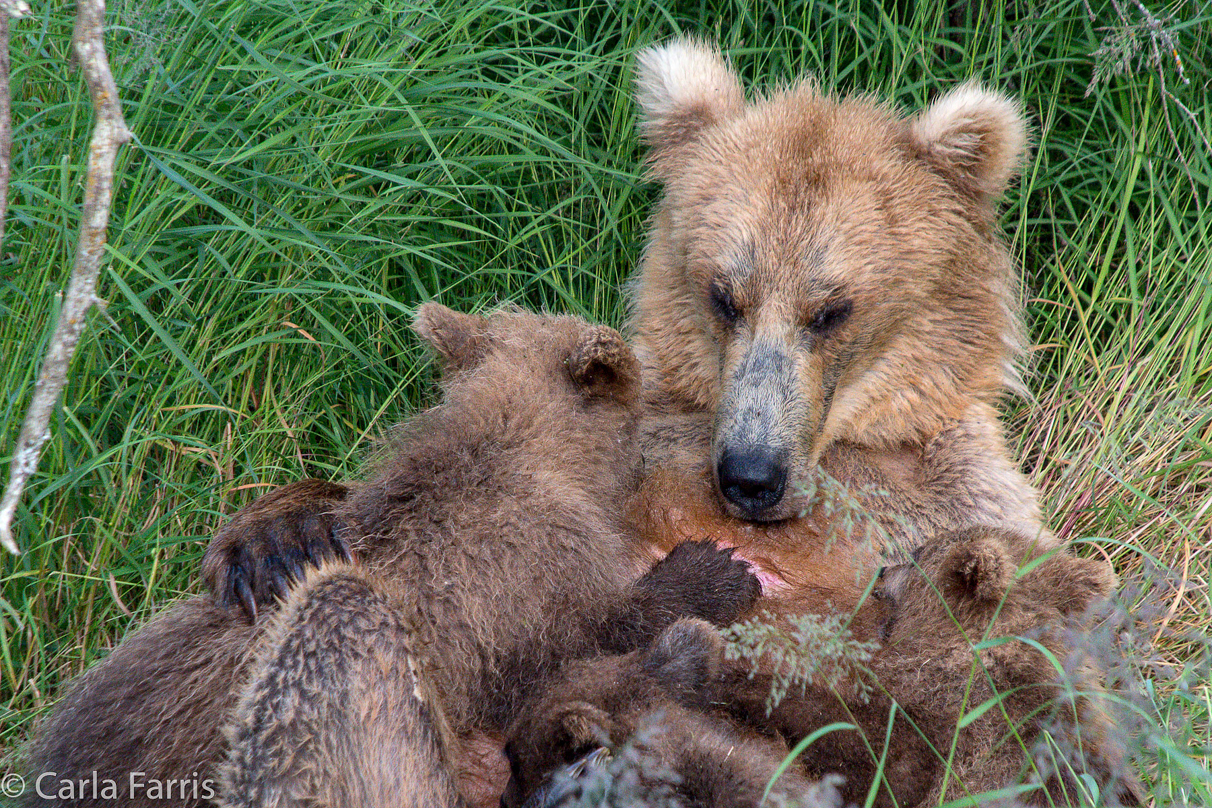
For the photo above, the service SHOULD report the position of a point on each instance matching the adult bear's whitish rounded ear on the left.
(683, 88)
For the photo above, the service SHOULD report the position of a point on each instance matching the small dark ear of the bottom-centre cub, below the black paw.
(685, 660)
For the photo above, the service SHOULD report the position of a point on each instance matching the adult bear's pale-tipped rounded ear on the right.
(975, 137)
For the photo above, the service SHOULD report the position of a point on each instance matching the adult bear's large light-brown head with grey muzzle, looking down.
(821, 270)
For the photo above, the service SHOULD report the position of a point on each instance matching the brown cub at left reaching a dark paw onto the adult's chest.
(488, 548)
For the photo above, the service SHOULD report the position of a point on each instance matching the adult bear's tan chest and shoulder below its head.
(860, 507)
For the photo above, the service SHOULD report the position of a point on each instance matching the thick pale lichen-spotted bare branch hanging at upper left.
(110, 134)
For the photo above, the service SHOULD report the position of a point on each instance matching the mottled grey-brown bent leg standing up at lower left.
(338, 710)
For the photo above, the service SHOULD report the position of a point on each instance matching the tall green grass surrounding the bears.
(305, 175)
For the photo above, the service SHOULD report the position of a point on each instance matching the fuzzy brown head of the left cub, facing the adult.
(564, 387)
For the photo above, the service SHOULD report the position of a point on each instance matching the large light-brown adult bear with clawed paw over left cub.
(826, 317)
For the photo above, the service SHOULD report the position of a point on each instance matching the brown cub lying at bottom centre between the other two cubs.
(649, 710)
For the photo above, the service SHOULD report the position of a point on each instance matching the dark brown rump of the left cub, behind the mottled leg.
(155, 706)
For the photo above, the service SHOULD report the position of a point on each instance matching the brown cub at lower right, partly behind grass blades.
(975, 627)
